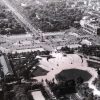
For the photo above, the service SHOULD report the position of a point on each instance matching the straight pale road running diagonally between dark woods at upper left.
(21, 18)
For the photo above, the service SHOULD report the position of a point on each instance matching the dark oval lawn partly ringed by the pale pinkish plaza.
(73, 74)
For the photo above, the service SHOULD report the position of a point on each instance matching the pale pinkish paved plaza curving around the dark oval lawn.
(60, 62)
